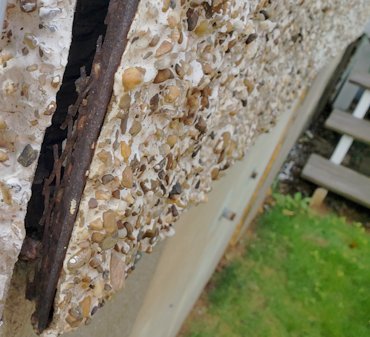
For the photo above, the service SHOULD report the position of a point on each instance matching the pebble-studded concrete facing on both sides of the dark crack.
(198, 82)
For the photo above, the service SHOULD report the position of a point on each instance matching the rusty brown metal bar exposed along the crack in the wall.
(62, 211)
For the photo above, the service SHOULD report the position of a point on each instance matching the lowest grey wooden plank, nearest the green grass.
(338, 179)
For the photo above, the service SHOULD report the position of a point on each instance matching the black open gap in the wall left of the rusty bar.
(88, 25)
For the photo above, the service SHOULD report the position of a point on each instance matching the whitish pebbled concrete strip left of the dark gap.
(33, 53)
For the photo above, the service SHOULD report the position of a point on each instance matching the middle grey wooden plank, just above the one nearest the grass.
(345, 123)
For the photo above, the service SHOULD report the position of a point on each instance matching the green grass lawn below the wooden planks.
(301, 275)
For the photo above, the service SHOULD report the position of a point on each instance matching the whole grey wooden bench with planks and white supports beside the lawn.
(329, 173)
